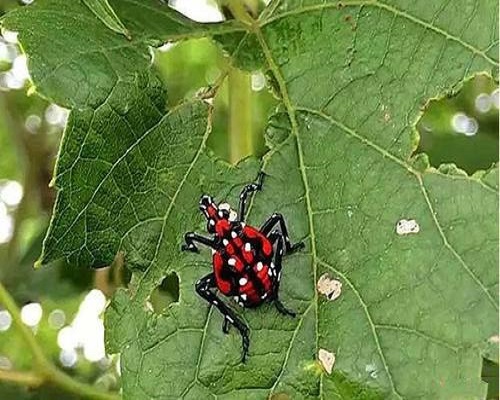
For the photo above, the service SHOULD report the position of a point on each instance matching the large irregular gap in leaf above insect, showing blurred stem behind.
(242, 103)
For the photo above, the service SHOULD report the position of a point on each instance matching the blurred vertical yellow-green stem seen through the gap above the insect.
(241, 143)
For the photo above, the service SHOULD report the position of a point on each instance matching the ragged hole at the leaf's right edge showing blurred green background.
(462, 128)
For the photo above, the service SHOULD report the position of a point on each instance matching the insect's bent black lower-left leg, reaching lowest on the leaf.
(205, 287)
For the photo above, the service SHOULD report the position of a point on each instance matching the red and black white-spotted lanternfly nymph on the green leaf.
(246, 260)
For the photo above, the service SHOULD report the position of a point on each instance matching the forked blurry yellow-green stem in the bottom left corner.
(45, 371)
